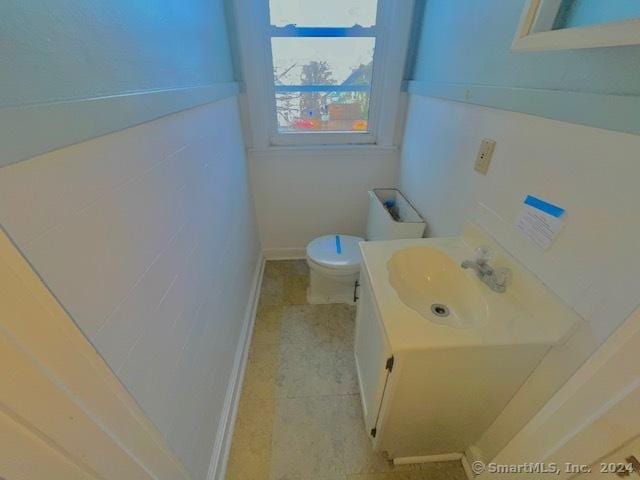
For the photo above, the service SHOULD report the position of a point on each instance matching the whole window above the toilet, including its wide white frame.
(321, 72)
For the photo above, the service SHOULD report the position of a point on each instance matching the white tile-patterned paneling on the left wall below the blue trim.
(148, 239)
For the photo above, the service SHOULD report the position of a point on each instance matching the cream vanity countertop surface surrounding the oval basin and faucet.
(528, 313)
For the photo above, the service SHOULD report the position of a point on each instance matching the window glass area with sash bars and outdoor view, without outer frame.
(322, 63)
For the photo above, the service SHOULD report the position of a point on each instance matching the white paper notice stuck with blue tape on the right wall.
(540, 221)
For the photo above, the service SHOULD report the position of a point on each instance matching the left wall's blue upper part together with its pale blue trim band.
(164, 55)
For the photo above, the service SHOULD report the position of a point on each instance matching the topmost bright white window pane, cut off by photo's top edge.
(323, 13)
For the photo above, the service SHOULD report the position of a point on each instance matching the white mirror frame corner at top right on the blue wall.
(605, 35)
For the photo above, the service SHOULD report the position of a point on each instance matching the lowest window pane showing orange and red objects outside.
(322, 111)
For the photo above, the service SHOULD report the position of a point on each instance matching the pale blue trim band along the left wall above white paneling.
(29, 130)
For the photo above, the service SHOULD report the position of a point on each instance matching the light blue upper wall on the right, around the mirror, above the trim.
(467, 41)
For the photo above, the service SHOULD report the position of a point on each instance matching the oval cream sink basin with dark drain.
(434, 285)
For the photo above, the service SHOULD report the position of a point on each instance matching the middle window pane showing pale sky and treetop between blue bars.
(322, 61)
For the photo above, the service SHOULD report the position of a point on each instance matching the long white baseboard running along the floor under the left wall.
(222, 445)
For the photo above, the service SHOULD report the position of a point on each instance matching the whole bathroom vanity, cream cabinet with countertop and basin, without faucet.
(431, 386)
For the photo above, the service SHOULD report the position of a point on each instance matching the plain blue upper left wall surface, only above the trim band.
(54, 50)
